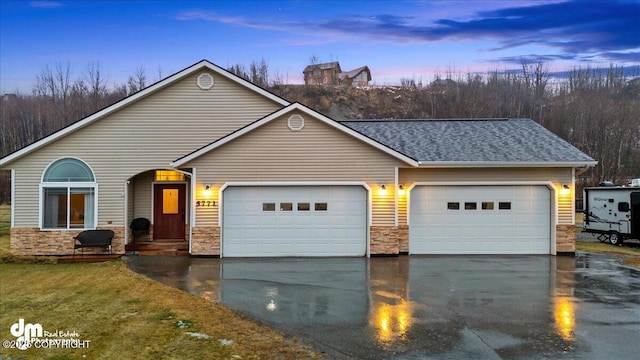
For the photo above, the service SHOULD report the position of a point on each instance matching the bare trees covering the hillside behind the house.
(597, 110)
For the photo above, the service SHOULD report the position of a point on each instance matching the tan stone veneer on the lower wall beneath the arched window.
(33, 241)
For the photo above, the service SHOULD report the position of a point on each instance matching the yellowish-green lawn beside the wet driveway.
(125, 315)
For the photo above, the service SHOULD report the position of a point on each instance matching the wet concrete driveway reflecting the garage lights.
(419, 307)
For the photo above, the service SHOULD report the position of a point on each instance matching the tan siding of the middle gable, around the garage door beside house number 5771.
(317, 153)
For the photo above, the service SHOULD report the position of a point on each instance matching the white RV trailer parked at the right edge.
(612, 212)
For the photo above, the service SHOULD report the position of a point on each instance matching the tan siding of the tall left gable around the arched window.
(145, 135)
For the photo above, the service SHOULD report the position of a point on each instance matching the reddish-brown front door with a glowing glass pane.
(169, 211)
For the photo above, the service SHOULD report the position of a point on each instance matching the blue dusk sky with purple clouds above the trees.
(396, 39)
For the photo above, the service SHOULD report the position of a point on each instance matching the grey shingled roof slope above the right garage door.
(472, 140)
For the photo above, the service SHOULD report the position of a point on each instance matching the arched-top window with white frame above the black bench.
(68, 196)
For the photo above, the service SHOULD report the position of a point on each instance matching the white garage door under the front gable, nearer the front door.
(294, 221)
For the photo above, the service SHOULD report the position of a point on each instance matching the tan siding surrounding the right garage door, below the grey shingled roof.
(557, 176)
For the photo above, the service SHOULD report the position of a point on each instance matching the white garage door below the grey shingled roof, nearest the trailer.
(480, 220)
